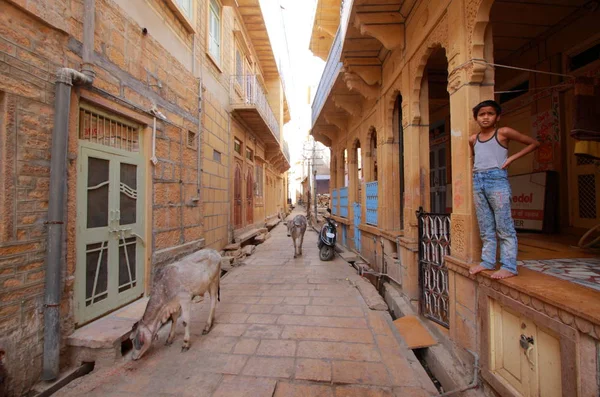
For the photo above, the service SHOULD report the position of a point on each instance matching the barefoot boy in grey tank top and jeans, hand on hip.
(491, 189)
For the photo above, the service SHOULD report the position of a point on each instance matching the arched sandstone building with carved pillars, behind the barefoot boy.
(394, 105)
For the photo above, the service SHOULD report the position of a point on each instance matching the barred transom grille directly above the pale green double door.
(97, 127)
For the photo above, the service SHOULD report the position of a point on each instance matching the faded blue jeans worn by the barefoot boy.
(492, 194)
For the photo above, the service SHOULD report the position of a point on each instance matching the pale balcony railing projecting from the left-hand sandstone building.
(246, 91)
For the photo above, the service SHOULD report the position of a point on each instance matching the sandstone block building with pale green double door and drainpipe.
(171, 127)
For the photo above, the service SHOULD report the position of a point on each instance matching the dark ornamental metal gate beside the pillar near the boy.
(434, 245)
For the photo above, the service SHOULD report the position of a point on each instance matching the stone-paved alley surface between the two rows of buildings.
(284, 327)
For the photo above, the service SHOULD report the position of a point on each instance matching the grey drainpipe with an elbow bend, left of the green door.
(65, 78)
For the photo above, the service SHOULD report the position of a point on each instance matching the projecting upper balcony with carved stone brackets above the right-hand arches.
(369, 30)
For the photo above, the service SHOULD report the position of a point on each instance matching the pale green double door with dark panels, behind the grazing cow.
(110, 206)
